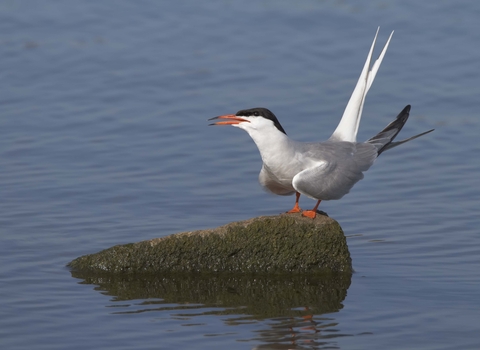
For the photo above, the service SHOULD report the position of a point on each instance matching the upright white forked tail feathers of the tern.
(348, 127)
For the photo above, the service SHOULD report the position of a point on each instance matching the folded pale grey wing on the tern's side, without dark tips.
(335, 176)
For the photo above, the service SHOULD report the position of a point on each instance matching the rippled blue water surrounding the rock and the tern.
(104, 141)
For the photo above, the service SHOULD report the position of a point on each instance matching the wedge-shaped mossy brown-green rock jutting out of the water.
(269, 244)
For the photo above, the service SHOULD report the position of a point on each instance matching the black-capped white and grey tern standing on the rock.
(324, 170)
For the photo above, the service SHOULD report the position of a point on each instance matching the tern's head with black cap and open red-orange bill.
(251, 120)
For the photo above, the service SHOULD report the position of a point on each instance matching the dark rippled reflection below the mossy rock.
(291, 307)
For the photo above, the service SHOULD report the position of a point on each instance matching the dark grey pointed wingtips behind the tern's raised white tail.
(384, 139)
